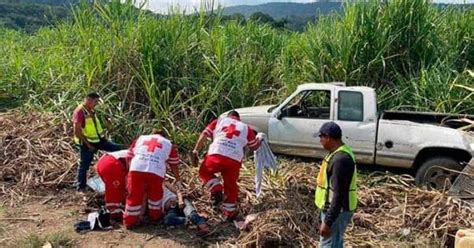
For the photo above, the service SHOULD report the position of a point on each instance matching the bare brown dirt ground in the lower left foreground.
(50, 219)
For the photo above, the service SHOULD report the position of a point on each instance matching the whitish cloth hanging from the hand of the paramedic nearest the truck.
(263, 158)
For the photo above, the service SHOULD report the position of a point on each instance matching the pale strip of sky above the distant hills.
(162, 6)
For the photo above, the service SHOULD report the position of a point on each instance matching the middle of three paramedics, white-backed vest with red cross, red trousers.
(149, 156)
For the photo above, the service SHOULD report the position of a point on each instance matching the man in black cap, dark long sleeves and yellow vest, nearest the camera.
(336, 190)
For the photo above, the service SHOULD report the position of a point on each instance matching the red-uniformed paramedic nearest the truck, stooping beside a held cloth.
(229, 138)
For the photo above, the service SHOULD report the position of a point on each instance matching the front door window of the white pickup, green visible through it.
(311, 104)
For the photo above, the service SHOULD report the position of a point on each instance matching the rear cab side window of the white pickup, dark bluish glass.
(351, 106)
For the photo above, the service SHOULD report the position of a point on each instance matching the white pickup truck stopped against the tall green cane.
(426, 142)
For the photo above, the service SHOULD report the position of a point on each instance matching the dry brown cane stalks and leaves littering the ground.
(37, 154)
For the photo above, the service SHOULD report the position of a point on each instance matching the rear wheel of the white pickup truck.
(432, 172)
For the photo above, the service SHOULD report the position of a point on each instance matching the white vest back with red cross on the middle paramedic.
(150, 154)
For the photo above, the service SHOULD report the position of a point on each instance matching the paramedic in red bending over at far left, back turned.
(112, 169)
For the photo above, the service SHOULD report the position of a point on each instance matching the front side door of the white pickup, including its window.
(292, 126)
